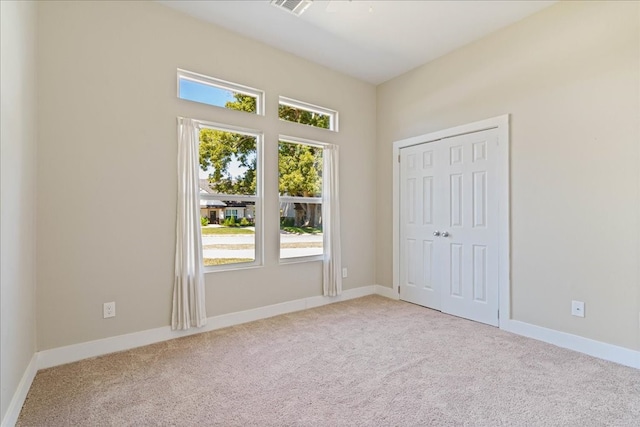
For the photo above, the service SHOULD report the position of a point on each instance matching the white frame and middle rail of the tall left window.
(258, 199)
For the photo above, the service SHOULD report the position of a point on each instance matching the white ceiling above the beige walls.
(371, 40)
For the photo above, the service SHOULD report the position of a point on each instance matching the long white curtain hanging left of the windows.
(188, 288)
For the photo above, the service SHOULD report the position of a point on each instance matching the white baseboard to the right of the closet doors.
(610, 352)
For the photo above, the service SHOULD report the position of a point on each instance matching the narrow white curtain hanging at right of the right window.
(332, 264)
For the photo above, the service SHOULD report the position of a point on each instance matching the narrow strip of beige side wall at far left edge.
(17, 195)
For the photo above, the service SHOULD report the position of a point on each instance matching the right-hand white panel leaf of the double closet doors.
(470, 228)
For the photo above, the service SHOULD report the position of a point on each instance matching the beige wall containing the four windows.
(108, 107)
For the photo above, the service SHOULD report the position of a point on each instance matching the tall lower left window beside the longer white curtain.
(230, 195)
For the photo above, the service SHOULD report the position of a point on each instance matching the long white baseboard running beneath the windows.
(75, 352)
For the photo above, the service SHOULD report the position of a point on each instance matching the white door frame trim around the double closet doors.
(501, 123)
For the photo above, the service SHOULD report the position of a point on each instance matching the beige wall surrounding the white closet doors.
(570, 78)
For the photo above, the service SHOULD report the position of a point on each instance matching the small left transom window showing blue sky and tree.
(208, 90)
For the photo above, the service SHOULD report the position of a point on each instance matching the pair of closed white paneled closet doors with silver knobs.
(448, 230)
